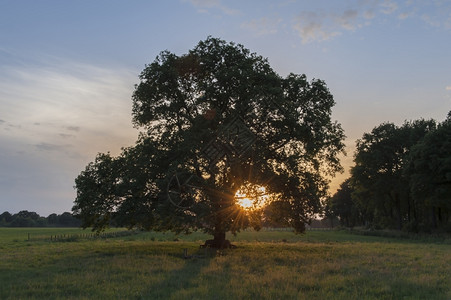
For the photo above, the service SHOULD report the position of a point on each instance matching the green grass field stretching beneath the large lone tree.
(266, 265)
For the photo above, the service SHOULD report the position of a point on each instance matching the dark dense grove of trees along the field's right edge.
(401, 179)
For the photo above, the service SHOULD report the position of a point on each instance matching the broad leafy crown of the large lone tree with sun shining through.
(213, 122)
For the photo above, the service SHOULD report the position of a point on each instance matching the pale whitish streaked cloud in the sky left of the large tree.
(93, 102)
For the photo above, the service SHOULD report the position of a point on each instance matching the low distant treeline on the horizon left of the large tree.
(26, 218)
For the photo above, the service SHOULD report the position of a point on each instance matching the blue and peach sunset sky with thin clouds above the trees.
(68, 70)
